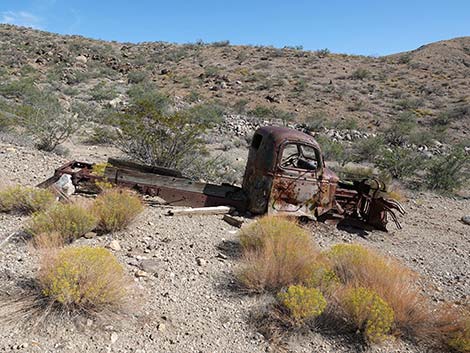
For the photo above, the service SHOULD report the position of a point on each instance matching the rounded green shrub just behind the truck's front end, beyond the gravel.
(401, 163)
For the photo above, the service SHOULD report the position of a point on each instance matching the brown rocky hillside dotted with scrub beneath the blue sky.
(290, 83)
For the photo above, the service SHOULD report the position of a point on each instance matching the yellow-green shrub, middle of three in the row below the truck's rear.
(70, 220)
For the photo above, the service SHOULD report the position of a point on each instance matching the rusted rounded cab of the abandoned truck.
(286, 174)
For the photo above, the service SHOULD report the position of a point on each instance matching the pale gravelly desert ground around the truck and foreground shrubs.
(183, 272)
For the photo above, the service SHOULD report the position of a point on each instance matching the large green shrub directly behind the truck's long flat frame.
(157, 138)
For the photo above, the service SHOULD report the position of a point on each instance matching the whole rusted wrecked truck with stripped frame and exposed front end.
(285, 174)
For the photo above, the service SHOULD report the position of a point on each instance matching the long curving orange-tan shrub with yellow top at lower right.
(356, 265)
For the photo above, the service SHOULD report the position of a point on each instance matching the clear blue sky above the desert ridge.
(355, 26)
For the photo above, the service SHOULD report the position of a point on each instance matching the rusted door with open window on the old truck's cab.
(295, 188)
